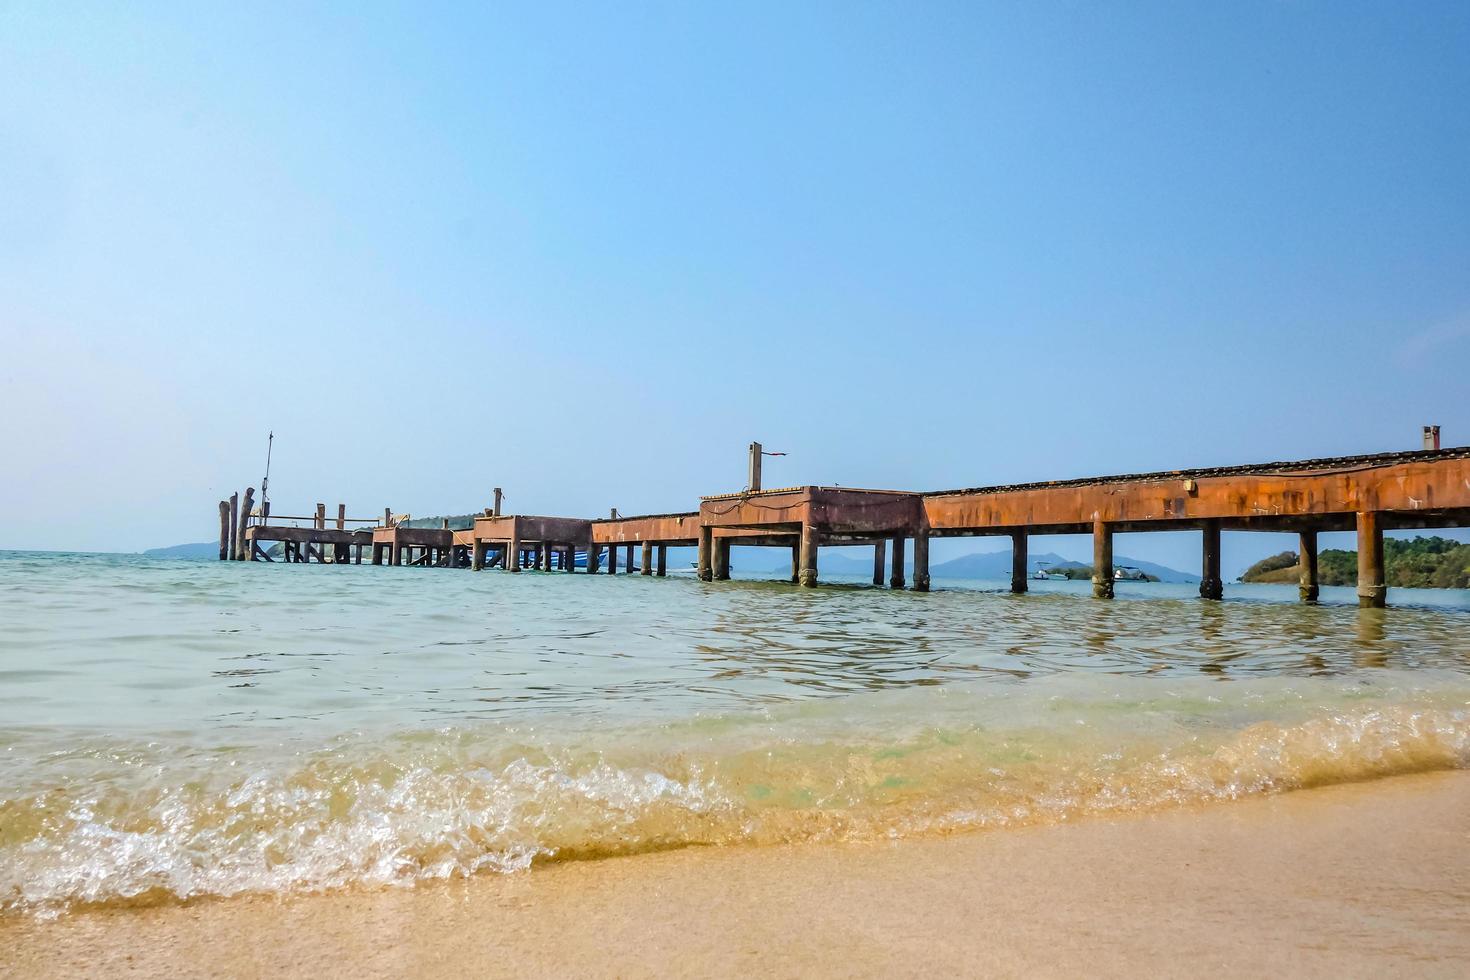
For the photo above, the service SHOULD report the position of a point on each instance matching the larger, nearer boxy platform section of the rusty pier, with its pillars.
(805, 519)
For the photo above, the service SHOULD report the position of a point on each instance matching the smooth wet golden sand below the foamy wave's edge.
(1371, 879)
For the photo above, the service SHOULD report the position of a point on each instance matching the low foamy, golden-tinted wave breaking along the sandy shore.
(102, 822)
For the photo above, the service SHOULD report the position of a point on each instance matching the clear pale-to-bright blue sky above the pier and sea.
(587, 253)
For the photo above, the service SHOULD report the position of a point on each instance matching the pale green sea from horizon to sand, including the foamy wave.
(176, 729)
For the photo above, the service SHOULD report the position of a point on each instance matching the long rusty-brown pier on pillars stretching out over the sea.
(1368, 494)
